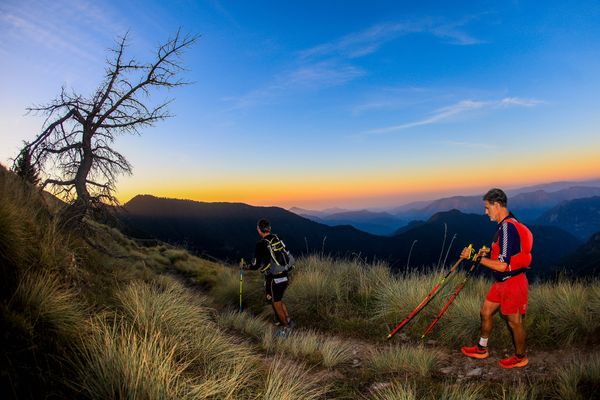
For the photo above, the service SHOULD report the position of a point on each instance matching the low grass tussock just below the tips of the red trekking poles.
(394, 358)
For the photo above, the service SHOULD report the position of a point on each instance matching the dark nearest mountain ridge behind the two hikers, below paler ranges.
(227, 231)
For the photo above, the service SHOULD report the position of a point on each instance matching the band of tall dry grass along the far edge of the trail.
(368, 301)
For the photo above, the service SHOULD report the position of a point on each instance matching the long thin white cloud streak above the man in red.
(462, 107)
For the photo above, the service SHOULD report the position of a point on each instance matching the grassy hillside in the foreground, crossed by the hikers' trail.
(89, 313)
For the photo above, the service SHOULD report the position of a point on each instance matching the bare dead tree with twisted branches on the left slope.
(75, 148)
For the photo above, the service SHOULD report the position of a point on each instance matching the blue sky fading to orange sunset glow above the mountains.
(320, 104)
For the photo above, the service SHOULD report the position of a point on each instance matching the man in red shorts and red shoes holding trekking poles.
(509, 259)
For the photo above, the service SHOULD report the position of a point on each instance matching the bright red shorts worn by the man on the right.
(511, 294)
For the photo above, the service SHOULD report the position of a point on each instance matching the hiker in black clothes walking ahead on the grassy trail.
(275, 282)
